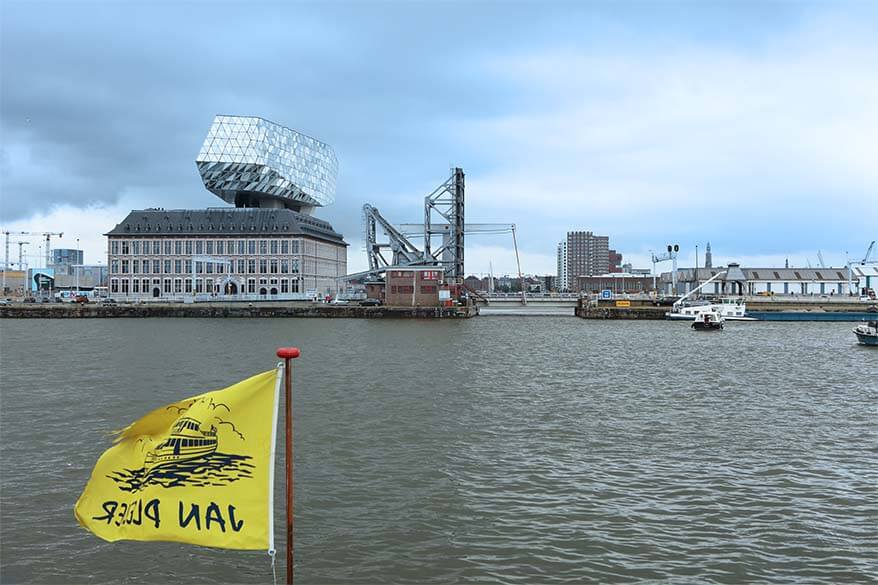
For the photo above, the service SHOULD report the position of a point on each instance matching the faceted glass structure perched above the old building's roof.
(252, 162)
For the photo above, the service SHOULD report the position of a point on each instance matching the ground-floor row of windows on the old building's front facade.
(157, 286)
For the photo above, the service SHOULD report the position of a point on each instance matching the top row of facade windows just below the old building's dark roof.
(179, 247)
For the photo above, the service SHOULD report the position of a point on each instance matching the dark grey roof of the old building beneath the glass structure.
(225, 221)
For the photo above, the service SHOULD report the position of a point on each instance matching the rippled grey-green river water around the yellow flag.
(491, 450)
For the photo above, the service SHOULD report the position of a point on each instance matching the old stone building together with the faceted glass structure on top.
(268, 246)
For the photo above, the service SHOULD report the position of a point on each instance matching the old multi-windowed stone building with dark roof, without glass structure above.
(224, 253)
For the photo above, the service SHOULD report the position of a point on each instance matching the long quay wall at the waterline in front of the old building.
(220, 310)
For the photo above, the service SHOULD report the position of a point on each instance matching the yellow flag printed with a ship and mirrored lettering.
(199, 471)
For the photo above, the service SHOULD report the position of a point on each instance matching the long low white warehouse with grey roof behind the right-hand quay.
(766, 281)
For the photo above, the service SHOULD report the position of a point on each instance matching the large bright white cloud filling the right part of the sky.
(776, 141)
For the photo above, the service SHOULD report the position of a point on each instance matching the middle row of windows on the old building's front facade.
(239, 266)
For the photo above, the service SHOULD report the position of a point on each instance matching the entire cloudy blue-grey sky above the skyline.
(752, 125)
